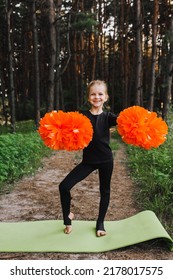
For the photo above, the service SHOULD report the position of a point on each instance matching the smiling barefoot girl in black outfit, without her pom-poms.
(97, 155)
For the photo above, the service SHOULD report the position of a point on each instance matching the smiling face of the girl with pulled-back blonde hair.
(97, 96)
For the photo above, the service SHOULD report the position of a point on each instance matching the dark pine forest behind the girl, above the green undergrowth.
(50, 50)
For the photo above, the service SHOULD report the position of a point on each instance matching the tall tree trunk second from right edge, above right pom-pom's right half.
(154, 54)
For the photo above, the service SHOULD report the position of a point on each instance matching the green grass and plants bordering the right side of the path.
(152, 170)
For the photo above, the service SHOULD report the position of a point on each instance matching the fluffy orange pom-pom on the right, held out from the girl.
(142, 128)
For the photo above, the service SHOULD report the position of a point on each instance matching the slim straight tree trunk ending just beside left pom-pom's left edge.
(36, 65)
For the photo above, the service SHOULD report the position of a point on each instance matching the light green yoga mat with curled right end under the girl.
(48, 236)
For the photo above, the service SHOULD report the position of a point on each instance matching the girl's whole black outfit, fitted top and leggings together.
(97, 155)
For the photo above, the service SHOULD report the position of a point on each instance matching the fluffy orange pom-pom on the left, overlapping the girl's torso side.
(65, 131)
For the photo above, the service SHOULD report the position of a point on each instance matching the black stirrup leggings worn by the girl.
(79, 173)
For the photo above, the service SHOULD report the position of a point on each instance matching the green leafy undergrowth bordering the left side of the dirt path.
(20, 153)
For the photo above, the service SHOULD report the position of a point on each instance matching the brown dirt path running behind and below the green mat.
(37, 198)
